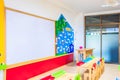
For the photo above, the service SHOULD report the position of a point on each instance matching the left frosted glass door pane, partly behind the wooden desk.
(93, 39)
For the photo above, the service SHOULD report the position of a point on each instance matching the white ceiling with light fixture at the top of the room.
(85, 6)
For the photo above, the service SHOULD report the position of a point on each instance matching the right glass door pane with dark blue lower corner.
(110, 43)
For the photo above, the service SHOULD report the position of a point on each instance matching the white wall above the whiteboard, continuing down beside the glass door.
(46, 9)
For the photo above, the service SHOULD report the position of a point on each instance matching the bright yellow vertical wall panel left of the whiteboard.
(2, 32)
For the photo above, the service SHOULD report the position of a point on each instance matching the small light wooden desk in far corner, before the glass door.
(86, 52)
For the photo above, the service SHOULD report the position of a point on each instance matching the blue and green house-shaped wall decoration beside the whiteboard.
(64, 36)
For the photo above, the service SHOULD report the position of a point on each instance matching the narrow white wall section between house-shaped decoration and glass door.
(79, 32)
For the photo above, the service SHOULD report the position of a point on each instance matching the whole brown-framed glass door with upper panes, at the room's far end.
(102, 34)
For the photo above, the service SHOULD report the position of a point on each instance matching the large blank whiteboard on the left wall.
(28, 37)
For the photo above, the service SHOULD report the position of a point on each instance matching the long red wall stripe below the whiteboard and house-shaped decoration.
(25, 72)
